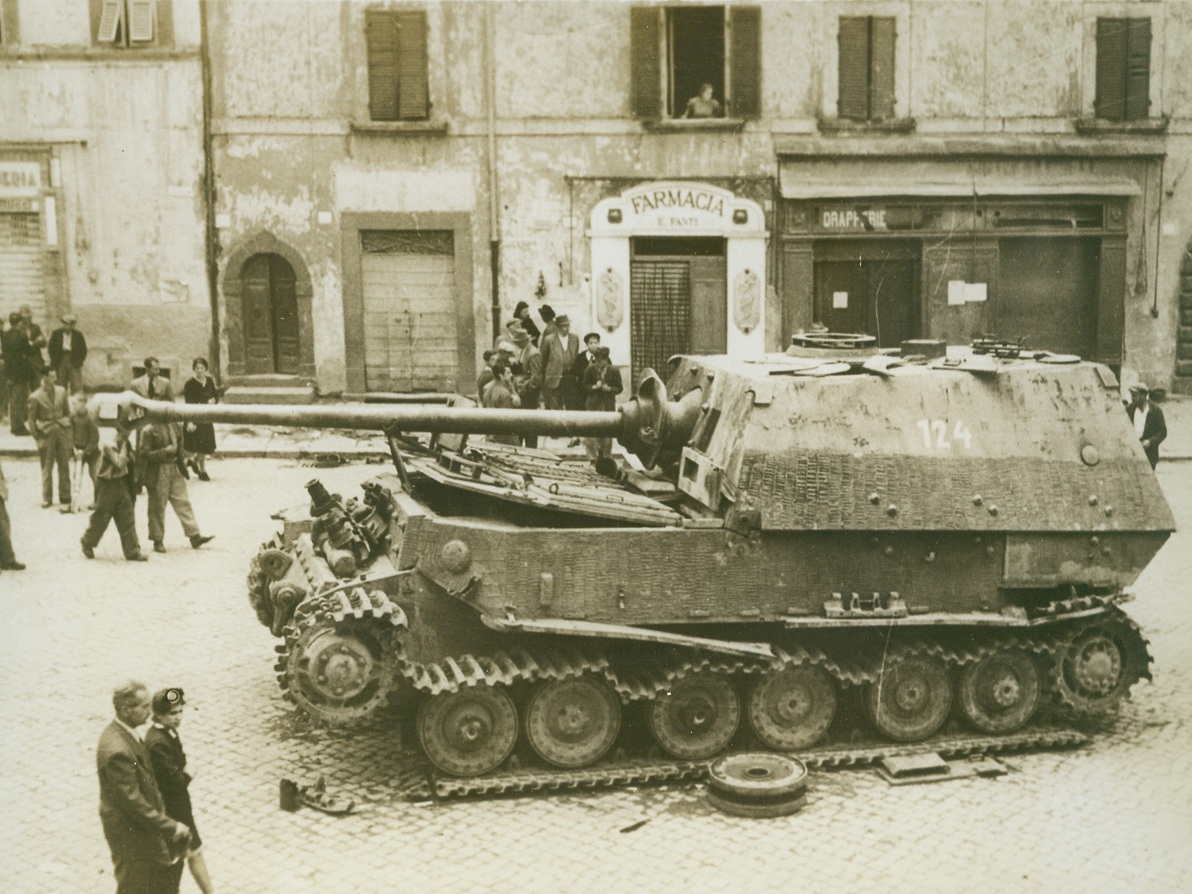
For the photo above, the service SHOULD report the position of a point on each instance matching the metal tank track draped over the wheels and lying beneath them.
(635, 684)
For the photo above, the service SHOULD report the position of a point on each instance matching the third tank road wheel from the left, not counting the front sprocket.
(697, 718)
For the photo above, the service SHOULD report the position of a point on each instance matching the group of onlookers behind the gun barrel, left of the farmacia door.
(531, 368)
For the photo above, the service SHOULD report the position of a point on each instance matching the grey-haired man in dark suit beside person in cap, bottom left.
(146, 845)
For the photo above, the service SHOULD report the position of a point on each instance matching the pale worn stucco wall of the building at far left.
(126, 134)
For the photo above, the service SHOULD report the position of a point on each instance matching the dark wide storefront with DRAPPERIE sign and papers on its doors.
(1025, 252)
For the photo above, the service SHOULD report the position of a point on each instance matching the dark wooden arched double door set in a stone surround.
(270, 315)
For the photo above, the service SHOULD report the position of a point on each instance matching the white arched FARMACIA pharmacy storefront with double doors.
(679, 268)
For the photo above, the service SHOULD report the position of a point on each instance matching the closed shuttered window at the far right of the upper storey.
(1123, 70)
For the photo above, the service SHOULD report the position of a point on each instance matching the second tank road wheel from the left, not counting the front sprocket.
(573, 723)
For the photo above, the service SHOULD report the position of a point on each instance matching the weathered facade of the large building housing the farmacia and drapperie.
(392, 178)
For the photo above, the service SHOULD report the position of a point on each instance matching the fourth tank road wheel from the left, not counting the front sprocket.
(793, 709)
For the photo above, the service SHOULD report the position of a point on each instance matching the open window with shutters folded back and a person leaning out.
(676, 51)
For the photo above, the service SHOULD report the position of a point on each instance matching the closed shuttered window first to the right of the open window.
(867, 69)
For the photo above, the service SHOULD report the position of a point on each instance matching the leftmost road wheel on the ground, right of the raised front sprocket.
(469, 732)
